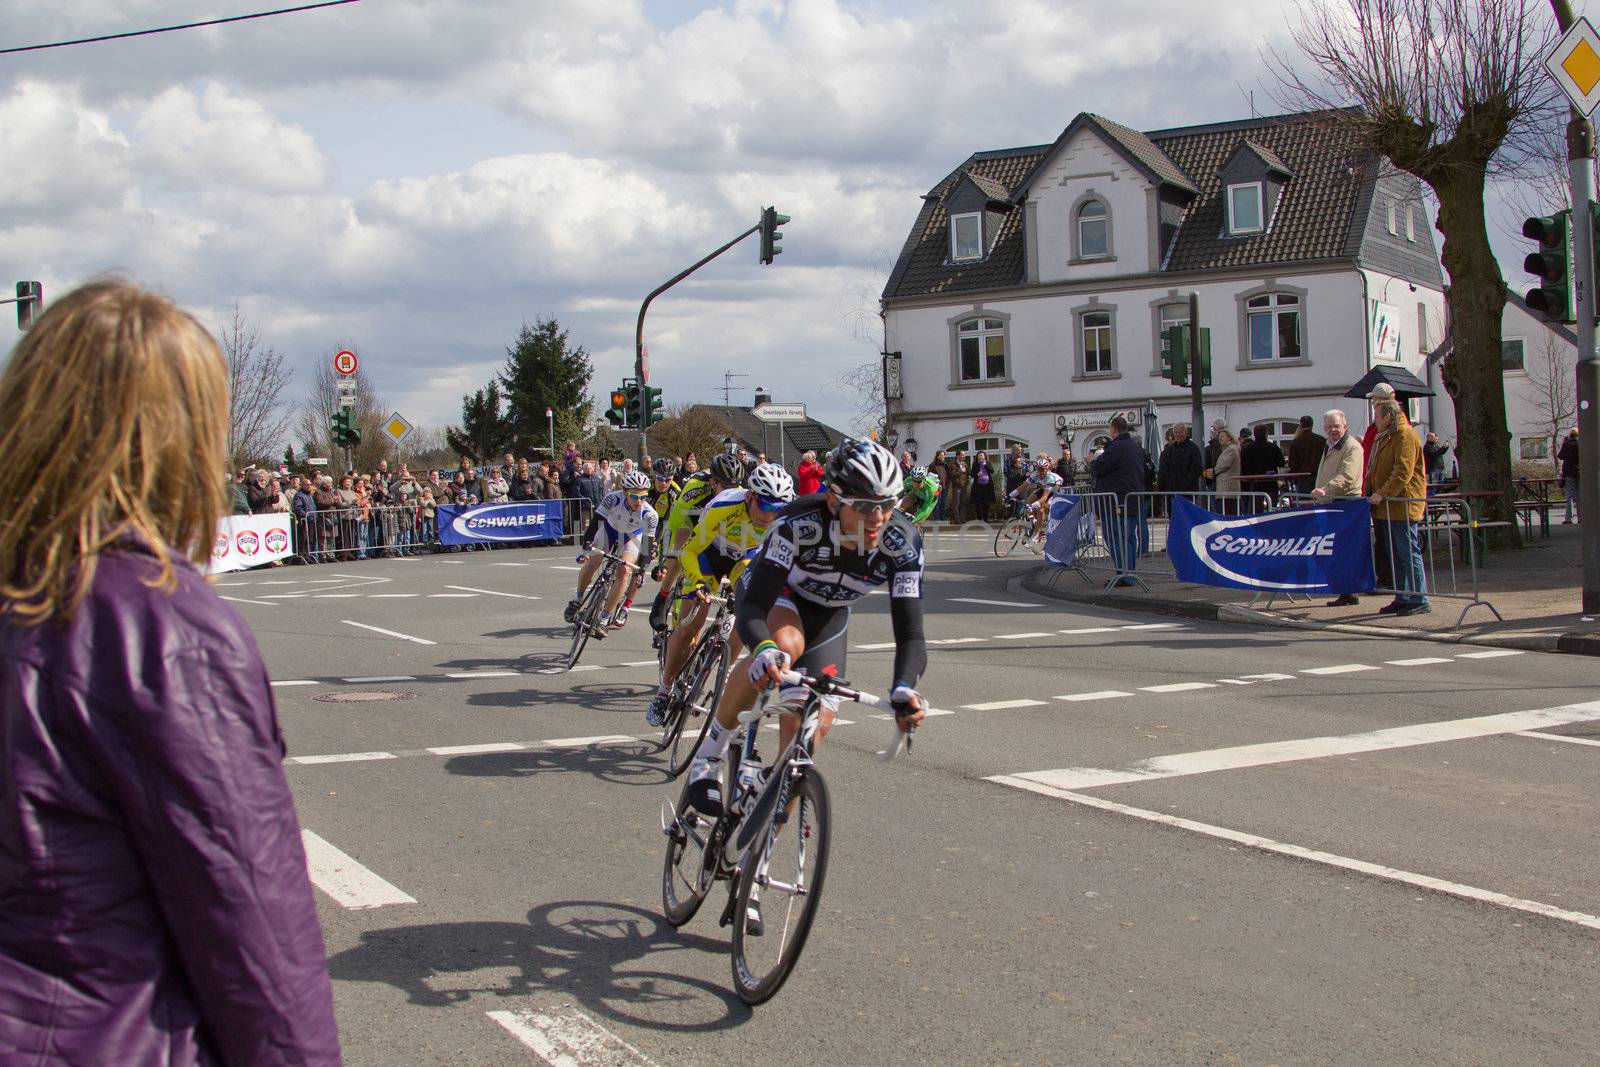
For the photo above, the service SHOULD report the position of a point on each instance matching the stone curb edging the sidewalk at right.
(1574, 644)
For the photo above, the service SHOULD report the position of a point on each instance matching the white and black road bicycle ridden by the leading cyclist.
(769, 844)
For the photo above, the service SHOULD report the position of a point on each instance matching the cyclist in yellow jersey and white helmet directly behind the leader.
(727, 538)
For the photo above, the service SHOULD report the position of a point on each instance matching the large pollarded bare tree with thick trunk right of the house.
(1450, 92)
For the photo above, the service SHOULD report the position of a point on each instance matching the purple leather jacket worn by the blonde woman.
(154, 901)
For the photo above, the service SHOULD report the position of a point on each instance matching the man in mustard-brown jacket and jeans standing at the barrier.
(1399, 489)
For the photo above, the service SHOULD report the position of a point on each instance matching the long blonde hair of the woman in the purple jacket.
(113, 423)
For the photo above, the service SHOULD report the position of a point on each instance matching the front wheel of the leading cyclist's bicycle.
(786, 869)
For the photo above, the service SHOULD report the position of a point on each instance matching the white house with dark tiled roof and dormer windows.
(1030, 300)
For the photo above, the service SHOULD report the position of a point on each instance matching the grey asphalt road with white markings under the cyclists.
(1132, 839)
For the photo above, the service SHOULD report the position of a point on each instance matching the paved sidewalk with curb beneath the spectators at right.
(1537, 589)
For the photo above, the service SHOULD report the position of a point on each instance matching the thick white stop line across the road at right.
(1270, 753)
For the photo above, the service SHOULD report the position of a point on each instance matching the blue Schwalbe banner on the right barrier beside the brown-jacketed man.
(1324, 549)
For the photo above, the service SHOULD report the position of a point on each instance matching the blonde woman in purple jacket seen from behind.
(158, 908)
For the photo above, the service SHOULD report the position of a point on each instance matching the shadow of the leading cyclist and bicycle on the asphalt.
(583, 949)
